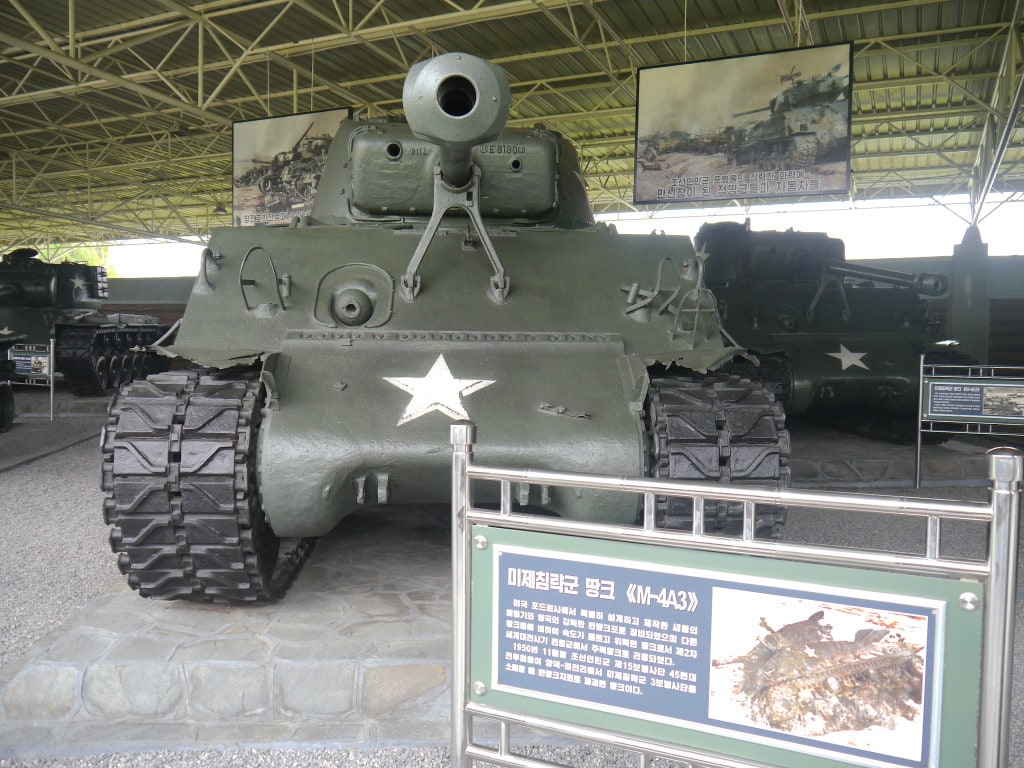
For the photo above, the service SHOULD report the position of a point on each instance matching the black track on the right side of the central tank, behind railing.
(721, 429)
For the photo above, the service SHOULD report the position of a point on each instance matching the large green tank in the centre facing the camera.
(451, 269)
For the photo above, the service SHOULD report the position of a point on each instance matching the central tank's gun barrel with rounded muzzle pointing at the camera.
(456, 102)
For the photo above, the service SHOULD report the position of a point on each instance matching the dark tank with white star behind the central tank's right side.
(836, 342)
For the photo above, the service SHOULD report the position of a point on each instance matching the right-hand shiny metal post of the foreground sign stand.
(1005, 470)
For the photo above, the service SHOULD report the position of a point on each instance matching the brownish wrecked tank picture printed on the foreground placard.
(842, 675)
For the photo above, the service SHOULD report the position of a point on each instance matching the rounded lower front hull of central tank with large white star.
(344, 436)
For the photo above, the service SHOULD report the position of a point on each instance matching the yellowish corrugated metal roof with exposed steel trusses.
(116, 117)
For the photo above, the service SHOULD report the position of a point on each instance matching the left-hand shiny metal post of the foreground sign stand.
(463, 436)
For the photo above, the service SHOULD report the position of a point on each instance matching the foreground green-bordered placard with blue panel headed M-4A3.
(815, 663)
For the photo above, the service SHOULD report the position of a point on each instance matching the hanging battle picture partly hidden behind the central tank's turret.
(277, 164)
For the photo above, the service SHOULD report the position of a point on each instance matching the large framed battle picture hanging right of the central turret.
(770, 125)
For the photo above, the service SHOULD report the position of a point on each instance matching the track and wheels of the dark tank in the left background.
(95, 361)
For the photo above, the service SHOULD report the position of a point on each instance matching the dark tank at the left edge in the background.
(95, 352)
